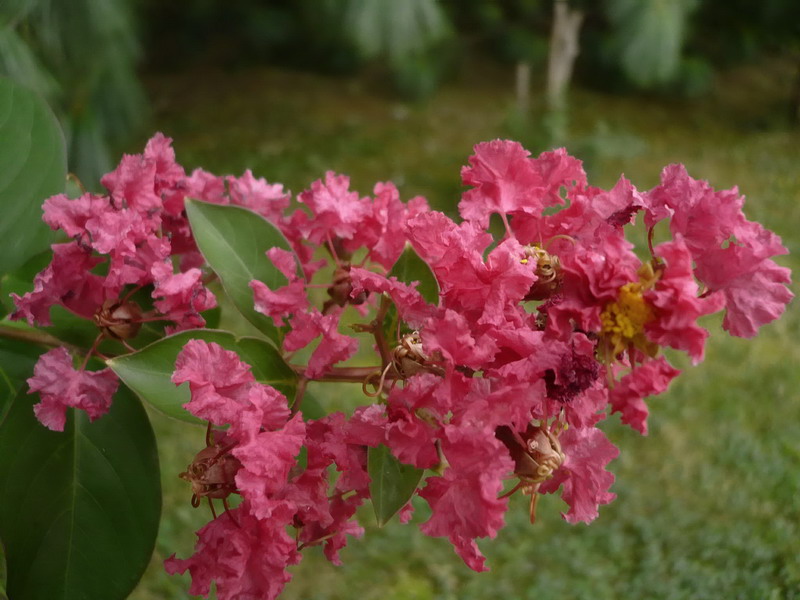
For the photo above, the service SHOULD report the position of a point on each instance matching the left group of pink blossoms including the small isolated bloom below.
(132, 237)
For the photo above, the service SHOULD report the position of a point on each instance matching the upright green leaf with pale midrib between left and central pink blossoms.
(233, 240)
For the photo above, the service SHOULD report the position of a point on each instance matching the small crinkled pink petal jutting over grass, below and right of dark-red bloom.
(628, 394)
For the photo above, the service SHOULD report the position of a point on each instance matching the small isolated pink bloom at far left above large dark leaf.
(61, 386)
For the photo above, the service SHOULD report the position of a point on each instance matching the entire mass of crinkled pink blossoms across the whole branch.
(497, 387)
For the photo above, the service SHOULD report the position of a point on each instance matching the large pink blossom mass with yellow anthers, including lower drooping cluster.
(536, 337)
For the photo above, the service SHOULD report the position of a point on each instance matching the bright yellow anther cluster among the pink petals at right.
(624, 320)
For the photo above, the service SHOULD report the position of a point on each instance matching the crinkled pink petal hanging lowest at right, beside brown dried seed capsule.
(583, 475)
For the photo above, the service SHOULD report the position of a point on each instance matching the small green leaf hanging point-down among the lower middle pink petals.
(392, 483)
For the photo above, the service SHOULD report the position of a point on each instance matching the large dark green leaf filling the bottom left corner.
(79, 509)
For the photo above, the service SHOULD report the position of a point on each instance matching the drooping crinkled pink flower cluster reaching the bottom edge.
(247, 550)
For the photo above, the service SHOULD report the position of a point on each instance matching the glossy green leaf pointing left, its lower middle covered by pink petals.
(148, 372)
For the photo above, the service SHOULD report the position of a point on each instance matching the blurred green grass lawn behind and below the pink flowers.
(709, 503)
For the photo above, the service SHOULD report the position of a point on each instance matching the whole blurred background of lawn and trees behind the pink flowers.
(709, 503)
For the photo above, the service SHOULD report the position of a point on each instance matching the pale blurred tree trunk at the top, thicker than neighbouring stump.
(563, 52)
